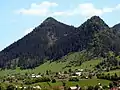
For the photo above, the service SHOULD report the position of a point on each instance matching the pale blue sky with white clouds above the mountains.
(19, 17)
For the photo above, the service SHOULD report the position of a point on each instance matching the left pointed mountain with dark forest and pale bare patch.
(30, 51)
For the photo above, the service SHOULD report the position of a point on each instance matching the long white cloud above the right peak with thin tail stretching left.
(86, 10)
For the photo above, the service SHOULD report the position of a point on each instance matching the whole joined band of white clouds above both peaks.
(84, 9)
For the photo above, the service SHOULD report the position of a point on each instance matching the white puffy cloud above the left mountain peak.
(41, 9)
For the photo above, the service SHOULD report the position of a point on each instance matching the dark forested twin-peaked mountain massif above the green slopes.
(52, 40)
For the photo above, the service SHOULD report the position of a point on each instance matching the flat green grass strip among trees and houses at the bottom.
(82, 83)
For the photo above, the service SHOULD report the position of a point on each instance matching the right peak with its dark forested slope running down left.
(79, 39)
